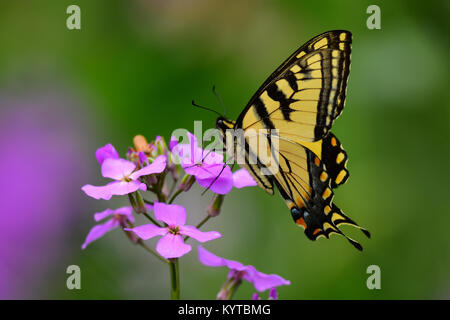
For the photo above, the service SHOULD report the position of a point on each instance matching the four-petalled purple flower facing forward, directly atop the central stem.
(172, 245)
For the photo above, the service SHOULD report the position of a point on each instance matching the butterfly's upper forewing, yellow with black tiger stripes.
(306, 93)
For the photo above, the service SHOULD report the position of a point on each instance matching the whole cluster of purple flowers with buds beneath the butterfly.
(165, 172)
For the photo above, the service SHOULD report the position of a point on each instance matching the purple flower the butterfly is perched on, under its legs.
(209, 169)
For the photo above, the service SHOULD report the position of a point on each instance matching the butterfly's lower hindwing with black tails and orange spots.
(306, 186)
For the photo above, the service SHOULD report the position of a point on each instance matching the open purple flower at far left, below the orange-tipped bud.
(126, 181)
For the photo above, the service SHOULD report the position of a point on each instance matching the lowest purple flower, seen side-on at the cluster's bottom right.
(260, 281)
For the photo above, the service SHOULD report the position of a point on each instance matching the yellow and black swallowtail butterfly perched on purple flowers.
(299, 102)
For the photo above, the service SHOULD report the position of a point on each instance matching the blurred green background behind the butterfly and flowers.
(134, 68)
